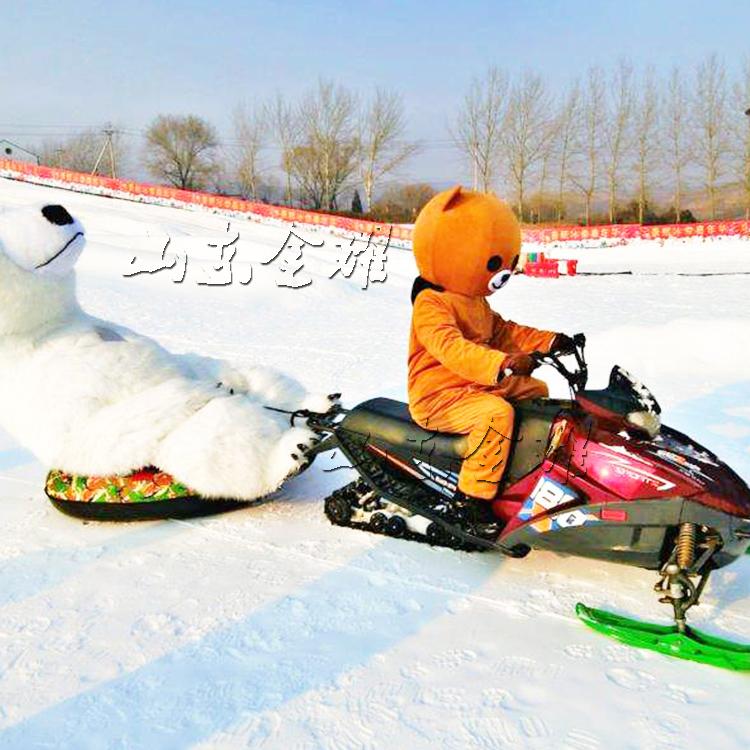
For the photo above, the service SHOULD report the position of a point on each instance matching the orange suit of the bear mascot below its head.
(456, 348)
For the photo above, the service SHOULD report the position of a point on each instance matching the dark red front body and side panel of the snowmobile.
(601, 491)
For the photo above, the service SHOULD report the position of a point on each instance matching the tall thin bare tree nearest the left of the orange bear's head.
(381, 149)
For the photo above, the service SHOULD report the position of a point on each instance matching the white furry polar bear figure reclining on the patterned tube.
(89, 397)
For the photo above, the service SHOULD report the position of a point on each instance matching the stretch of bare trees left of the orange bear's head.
(326, 146)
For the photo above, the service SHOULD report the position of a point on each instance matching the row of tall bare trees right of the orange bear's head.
(613, 144)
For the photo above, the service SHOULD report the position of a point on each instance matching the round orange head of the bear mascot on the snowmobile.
(466, 242)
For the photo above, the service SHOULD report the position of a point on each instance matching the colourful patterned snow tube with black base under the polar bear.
(144, 494)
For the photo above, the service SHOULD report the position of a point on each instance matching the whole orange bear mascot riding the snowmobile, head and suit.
(466, 363)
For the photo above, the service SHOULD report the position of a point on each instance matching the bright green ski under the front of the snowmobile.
(666, 639)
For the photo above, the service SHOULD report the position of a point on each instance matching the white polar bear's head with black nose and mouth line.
(39, 247)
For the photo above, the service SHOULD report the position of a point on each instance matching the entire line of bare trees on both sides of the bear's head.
(616, 145)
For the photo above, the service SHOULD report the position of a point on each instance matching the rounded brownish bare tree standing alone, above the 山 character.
(182, 151)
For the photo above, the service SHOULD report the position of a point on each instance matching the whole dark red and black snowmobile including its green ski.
(596, 475)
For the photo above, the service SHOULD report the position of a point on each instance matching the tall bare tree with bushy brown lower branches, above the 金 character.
(326, 159)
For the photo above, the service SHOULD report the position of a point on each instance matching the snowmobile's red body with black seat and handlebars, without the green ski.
(595, 476)
